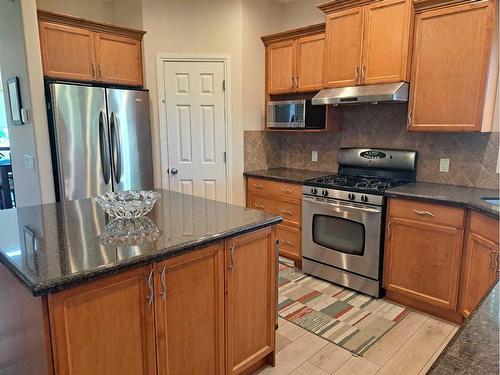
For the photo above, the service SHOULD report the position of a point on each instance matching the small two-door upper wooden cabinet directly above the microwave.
(294, 60)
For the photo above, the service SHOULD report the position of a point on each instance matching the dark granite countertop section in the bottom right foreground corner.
(474, 349)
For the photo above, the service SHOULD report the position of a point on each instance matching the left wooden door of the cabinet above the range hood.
(343, 48)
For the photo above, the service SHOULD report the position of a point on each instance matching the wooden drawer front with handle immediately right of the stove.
(427, 212)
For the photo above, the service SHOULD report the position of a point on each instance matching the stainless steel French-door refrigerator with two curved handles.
(101, 140)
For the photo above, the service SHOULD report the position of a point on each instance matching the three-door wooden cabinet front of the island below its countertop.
(211, 311)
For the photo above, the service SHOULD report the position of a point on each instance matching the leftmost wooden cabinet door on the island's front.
(105, 327)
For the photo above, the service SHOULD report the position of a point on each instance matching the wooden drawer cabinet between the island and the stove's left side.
(282, 199)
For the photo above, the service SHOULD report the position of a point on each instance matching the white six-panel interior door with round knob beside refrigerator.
(196, 128)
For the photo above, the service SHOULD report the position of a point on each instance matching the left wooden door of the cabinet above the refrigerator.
(67, 52)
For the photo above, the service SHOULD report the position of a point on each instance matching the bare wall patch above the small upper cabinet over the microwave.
(301, 13)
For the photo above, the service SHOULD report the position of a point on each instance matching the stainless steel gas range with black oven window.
(343, 216)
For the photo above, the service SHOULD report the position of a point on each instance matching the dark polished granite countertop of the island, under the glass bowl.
(69, 252)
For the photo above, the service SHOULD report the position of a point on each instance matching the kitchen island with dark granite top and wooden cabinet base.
(195, 294)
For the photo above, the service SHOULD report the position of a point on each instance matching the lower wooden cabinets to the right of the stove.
(429, 266)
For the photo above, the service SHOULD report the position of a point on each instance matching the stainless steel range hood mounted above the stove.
(388, 92)
